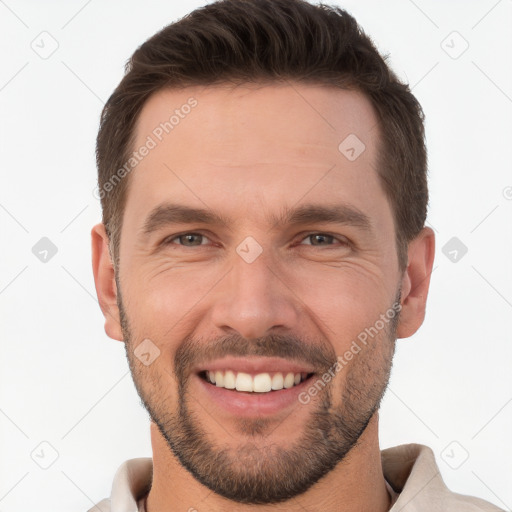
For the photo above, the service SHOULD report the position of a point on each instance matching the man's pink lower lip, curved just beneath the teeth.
(246, 404)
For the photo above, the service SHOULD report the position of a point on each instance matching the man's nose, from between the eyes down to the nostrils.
(254, 299)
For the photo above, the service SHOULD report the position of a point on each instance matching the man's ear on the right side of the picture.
(416, 282)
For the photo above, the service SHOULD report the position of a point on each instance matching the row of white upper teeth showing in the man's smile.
(260, 383)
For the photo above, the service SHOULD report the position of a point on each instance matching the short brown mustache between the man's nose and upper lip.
(193, 352)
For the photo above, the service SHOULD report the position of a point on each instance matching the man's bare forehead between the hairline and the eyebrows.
(263, 146)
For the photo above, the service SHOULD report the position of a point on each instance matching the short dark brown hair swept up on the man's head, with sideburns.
(252, 41)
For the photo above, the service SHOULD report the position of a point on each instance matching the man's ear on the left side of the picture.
(105, 282)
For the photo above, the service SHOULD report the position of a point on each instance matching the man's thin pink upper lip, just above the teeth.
(255, 365)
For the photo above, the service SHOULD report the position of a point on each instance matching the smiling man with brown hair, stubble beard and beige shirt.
(263, 182)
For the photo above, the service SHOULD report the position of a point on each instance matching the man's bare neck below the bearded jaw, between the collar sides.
(356, 483)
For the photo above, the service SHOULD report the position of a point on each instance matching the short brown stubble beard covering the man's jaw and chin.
(255, 471)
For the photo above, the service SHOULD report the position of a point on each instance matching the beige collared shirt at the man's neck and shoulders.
(412, 477)
